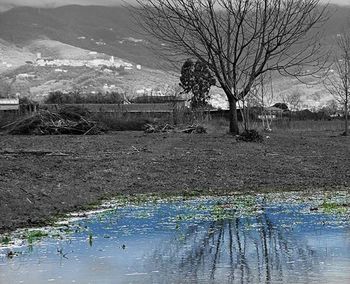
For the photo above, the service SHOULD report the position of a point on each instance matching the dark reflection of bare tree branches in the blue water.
(246, 249)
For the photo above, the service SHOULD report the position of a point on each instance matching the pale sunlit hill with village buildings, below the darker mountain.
(21, 73)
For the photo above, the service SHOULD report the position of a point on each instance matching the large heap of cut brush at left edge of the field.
(68, 120)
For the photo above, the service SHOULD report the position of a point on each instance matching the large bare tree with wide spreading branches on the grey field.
(240, 40)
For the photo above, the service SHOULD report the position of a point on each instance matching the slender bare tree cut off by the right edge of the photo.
(338, 80)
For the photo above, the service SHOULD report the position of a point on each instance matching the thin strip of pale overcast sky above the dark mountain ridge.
(54, 3)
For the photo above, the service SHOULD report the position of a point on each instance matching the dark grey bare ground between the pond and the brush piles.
(42, 176)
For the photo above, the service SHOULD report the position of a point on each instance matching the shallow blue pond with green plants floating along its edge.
(290, 238)
